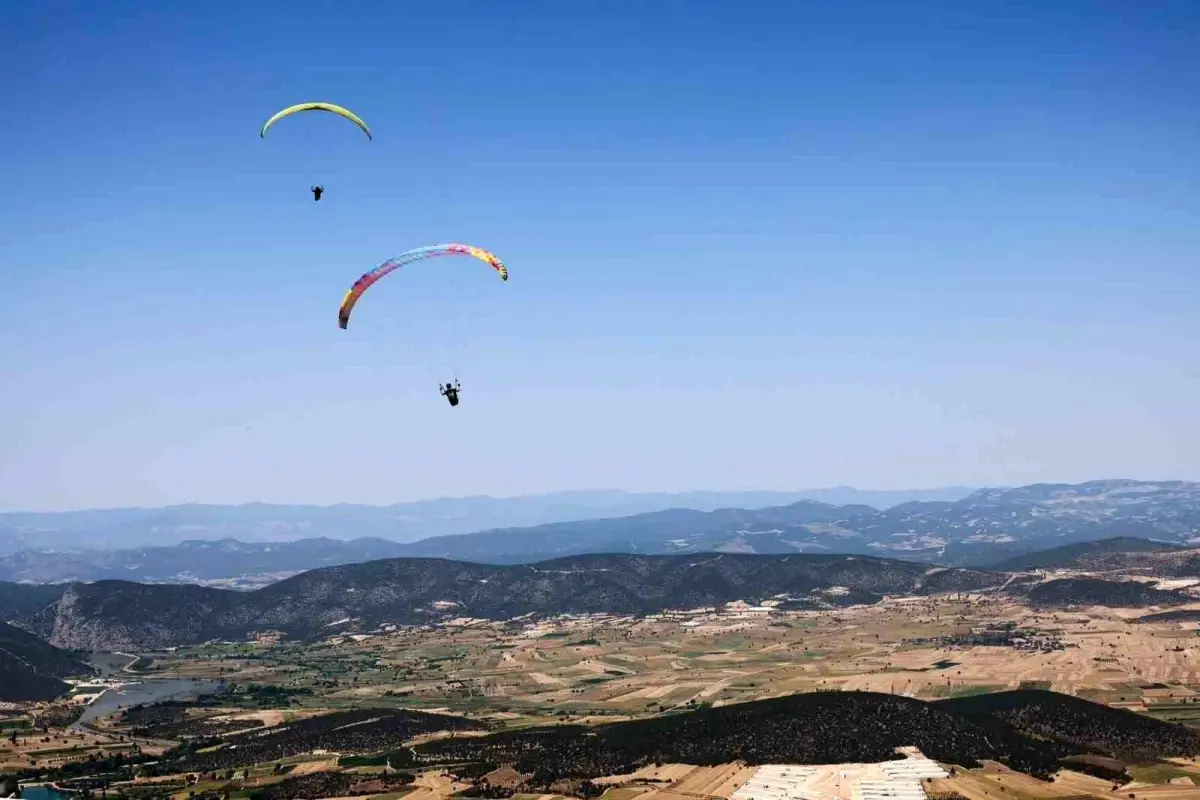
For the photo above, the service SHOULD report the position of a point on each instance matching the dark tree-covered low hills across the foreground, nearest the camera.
(1034, 732)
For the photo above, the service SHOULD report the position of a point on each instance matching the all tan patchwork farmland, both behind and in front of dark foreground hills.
(607, 669)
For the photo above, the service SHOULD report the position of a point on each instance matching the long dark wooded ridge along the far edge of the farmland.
(117, 615)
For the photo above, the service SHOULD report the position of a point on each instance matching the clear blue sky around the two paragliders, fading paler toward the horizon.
(771, 245)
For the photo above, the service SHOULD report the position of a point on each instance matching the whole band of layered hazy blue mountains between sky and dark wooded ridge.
(986, 528)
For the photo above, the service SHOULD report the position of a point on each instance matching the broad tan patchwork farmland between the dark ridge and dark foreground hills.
(609, 667)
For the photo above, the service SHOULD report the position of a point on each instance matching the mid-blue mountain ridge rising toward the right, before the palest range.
(987, 526)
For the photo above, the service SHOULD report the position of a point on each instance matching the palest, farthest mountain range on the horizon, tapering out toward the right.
(404, 522)
